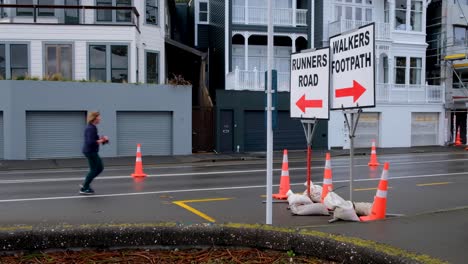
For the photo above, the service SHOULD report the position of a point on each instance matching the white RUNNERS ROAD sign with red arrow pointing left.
(310, 81)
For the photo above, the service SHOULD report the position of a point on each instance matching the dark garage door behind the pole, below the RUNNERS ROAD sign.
(289, 134)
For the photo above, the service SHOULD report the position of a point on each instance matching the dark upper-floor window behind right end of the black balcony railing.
(108, 15)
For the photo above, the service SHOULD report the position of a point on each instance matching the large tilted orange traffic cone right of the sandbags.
(380, 200)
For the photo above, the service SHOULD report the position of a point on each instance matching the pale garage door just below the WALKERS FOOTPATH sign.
(367, 130)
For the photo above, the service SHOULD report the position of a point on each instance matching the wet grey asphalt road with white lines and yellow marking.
(234, 192)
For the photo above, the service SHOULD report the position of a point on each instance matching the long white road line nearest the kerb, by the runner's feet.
(212, 189)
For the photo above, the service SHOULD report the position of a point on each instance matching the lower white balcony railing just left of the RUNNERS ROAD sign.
(254, 80)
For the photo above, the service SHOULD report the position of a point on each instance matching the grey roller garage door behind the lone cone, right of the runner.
(153, 130)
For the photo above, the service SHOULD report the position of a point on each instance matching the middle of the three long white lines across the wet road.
(118, 177)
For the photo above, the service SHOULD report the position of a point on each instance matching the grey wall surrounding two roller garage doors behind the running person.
(17, 97)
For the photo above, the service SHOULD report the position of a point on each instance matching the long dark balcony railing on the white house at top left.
(69, 15)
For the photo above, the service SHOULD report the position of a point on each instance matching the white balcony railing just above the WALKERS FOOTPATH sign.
(382, 30)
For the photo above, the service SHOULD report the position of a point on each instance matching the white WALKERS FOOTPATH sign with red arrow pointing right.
(352, 68)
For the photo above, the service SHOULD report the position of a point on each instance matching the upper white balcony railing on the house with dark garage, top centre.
(259, 16)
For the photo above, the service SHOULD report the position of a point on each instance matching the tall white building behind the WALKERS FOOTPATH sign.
(408, 112)
